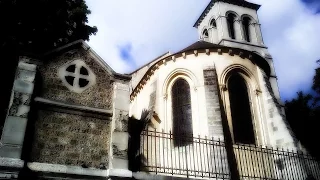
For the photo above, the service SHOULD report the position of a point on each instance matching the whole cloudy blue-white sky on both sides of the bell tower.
(133, 32)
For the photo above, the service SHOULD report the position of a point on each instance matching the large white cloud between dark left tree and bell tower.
(152, 28)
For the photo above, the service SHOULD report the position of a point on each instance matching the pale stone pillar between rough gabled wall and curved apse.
(119, 149)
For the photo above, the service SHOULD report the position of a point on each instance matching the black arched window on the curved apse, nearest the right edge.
(240, 110)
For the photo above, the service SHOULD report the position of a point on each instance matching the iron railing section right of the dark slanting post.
(257, 162)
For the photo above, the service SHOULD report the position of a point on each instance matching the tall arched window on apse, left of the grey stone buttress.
(181, 112)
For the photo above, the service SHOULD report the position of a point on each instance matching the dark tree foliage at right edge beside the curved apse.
(303, 115)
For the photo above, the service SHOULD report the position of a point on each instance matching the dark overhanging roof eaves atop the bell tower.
(242, 3)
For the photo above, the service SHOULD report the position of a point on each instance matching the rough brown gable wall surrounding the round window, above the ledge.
(97, 96)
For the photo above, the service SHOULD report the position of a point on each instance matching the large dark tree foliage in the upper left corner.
(36, 26)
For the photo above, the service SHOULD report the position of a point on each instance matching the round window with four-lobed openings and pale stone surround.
(76, 76)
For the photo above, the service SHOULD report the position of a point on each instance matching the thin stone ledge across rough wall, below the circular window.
(73, 109)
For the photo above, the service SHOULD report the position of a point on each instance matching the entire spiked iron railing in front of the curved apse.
(203, 157)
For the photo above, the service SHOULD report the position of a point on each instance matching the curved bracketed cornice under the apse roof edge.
(219, 50)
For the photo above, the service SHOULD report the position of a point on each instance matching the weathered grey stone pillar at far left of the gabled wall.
(15, 125)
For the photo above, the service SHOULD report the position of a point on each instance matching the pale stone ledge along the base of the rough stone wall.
(64, 169)
